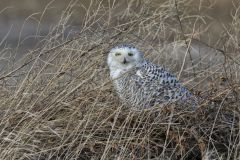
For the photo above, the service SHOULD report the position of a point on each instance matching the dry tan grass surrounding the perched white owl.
(57, 102)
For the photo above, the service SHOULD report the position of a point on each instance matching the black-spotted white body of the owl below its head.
(146, 85)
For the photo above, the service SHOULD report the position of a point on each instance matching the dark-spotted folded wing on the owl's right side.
(162, 85)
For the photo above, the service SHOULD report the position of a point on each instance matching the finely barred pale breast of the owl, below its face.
(136, 92)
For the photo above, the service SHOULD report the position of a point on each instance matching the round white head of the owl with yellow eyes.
(124, 57)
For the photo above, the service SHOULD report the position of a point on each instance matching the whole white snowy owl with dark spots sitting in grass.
(142, 84)
